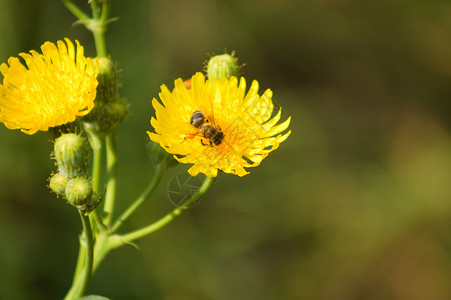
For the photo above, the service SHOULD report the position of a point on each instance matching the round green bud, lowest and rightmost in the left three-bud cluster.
(79, 192)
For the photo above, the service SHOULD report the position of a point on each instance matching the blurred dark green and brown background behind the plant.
(356, 204)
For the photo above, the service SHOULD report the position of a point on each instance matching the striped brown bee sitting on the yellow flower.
(207, 129)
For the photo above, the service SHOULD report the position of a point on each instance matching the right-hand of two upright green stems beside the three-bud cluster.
(110, 196)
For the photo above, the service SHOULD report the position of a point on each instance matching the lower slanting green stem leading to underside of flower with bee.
(130, 237)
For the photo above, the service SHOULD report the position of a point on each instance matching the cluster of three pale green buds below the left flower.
(71, 181)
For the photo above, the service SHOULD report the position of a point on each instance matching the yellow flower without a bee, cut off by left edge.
(51, 90)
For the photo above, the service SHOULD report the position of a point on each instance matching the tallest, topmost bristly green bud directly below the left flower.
(71, 155)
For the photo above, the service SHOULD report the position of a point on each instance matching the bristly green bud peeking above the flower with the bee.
(221, 66)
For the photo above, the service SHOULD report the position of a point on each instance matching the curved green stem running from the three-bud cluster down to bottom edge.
(82, 281)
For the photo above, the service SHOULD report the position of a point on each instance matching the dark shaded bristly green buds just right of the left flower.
(110, 110)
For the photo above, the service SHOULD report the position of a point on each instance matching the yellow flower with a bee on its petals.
(248, 133)
